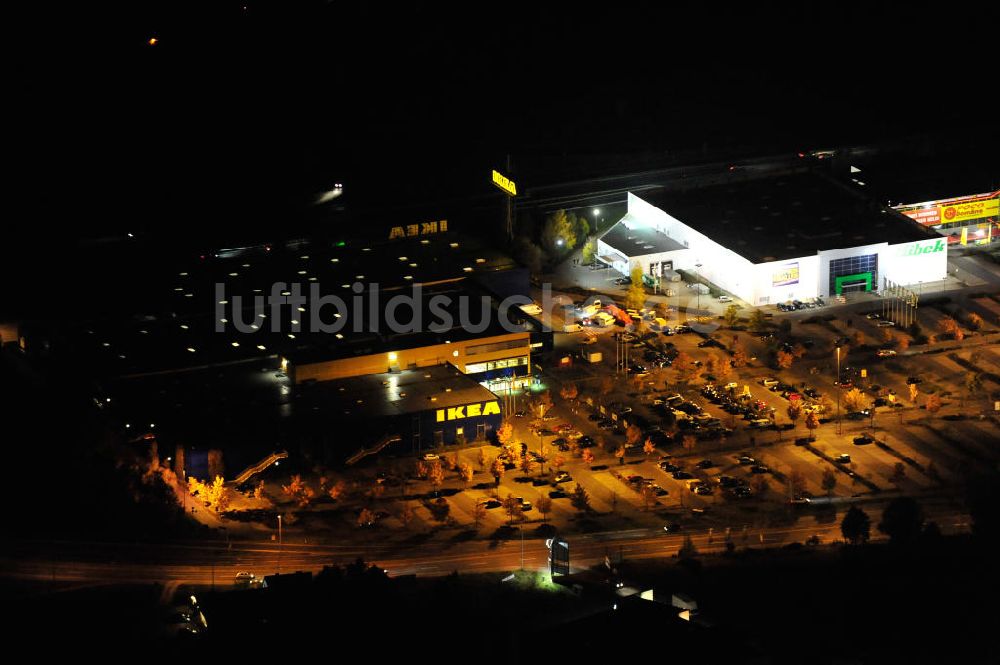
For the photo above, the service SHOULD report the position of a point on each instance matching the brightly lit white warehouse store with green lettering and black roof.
(793, 236)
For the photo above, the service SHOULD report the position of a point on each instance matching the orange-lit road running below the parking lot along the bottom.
(201, 564)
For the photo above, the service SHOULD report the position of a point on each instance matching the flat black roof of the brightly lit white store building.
(787, 216)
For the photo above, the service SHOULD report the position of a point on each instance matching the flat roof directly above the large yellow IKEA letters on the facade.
(395, 393)
